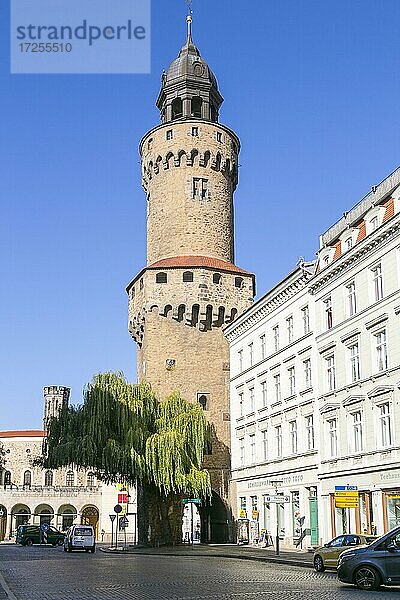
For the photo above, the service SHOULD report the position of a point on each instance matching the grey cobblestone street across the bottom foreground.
(50, 574)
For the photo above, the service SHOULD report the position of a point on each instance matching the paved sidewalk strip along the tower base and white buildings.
(299, 558)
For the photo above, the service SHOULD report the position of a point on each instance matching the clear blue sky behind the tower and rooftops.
(312, 89)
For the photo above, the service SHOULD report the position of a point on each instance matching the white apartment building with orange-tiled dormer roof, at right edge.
(356, 292)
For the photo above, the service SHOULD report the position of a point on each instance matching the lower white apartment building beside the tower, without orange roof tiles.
(273, 410)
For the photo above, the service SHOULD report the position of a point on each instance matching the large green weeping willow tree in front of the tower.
(124, 433)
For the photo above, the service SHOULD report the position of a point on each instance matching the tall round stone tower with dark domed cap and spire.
(190, 287)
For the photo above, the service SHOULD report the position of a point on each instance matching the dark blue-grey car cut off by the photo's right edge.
(369, 567)
